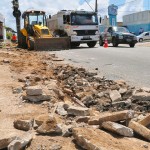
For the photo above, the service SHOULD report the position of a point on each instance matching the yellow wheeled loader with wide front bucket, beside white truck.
(36, 36)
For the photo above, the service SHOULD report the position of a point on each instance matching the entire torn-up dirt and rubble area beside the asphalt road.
(47, 104)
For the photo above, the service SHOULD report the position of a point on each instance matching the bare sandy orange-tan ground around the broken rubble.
(15, 67)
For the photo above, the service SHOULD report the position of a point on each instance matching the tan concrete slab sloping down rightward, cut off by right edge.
(140, 129)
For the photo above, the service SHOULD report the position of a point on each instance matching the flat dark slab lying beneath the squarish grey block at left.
(37, 98)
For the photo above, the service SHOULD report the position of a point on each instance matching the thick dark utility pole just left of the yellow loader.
(17, 15)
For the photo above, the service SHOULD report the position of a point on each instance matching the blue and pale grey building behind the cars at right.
(136, 21)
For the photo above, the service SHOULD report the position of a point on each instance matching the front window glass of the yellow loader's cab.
(35, 19)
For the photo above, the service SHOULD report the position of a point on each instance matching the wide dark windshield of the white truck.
(84, 19)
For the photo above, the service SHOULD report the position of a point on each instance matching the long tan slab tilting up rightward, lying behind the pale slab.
(114, 116)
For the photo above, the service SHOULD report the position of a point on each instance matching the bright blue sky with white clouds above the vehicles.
(51, 7)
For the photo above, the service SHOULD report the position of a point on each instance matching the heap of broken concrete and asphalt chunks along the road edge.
(87, 104)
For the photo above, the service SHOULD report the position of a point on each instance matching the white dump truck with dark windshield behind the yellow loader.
(79, 26)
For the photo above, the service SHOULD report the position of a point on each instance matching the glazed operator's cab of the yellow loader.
(32, 18)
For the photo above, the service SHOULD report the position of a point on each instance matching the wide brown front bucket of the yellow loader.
(50, 44)
